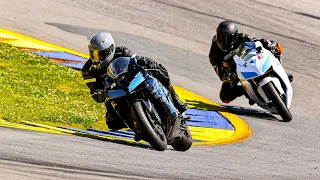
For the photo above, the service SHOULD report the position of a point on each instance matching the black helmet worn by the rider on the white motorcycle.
(227, 34)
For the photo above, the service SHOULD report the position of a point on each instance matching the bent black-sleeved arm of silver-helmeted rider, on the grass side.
(92, 82)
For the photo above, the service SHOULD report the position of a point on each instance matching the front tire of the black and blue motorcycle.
(151, 131)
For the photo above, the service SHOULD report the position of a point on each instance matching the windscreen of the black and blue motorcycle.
(118, 67)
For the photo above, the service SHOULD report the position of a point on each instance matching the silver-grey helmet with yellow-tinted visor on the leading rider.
(101, 48)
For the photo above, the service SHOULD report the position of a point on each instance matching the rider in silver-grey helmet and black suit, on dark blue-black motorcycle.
(102, 51)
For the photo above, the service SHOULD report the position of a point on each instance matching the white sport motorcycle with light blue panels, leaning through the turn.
(264, 78)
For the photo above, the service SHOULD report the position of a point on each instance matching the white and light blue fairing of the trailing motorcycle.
(256, 66)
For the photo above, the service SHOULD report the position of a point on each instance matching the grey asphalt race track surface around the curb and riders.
(178, 34)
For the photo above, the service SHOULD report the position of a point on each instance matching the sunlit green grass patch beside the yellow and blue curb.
(36, 89)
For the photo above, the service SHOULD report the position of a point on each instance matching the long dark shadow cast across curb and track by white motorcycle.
(241, 111)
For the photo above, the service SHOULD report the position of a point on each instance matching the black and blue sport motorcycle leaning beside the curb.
(145, 105)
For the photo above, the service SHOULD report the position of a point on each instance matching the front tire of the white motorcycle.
(273, 95)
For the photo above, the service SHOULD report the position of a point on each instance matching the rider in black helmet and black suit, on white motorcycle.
(224, 45)
